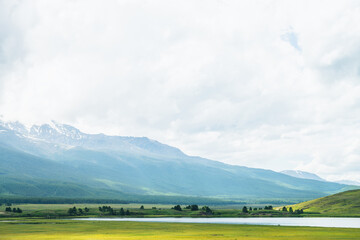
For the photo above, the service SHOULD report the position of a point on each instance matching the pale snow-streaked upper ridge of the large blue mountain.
(54, 136)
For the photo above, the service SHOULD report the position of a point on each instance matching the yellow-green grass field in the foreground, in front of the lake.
(90, 230)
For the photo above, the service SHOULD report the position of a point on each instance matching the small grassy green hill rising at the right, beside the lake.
(340, 204)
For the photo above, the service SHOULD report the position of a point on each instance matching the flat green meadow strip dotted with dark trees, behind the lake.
(150, 210)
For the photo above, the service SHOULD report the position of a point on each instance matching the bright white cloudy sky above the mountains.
(269, 84)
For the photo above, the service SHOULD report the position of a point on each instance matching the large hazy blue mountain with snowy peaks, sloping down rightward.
(58, 160)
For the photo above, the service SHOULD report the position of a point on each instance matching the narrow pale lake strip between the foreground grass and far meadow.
(310, 222)
